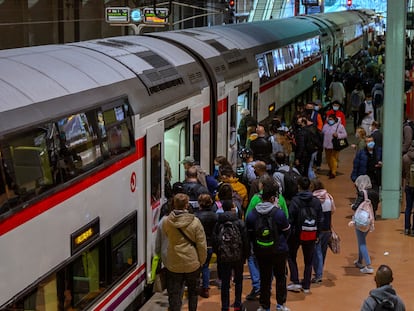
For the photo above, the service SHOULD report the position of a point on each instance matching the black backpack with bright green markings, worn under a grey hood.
(266, 237)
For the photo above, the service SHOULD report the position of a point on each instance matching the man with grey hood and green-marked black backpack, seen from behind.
(268, 230)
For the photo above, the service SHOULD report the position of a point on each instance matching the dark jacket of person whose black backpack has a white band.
(301, 200)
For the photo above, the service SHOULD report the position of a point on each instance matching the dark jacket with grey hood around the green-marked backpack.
(279, 218)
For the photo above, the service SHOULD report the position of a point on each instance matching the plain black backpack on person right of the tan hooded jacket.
(229, 242)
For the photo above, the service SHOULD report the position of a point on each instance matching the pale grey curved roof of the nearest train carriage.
(83, 74)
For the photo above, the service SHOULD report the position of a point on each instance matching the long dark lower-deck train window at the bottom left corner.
(85, 278)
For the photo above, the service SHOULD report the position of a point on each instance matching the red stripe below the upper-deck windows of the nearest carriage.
(38, 208)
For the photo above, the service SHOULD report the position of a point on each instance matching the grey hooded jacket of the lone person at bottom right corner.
(379, 294)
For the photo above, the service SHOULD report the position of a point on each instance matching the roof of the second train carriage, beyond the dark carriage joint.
(232, 49)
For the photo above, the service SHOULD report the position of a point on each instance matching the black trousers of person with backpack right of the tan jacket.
(226, 269)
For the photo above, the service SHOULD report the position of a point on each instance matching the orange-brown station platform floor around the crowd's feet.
(343, 287)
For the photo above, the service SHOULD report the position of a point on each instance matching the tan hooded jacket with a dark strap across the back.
(183, 257)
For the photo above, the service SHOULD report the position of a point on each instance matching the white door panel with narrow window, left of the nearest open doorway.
(154, 188)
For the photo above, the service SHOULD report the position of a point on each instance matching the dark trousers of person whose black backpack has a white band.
(308, 248)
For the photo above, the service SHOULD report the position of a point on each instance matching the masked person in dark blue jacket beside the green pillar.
(366, 163)
